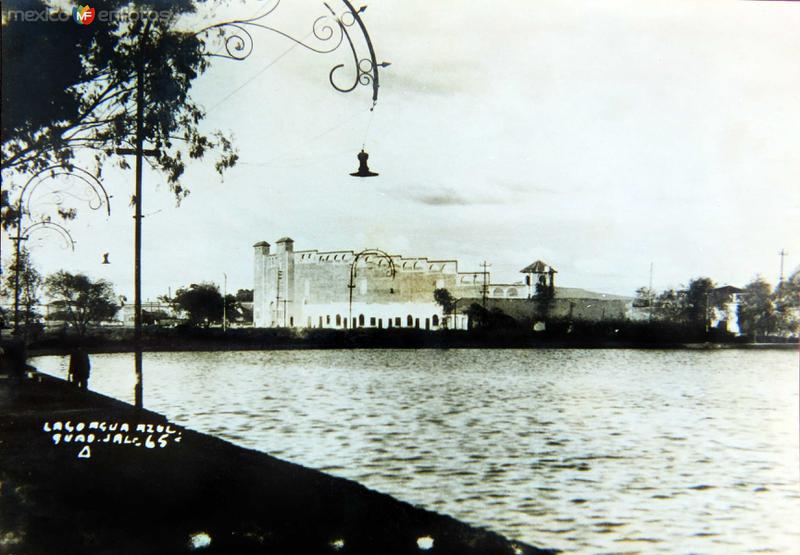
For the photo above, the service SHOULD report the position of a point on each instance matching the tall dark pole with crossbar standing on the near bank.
(139, 152)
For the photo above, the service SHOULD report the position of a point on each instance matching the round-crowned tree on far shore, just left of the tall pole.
(82, 302)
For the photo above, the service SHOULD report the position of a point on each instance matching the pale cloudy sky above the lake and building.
(600, 137)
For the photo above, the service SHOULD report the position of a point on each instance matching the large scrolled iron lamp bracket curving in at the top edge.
(330, 30)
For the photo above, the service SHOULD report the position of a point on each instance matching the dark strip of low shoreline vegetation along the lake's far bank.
(588, 335)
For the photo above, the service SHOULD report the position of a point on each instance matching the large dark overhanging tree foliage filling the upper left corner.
(87, 95)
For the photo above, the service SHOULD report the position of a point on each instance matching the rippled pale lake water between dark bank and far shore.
(583, 450)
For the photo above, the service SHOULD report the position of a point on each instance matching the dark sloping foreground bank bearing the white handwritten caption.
(70, 484)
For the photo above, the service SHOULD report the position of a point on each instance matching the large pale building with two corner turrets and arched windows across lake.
(374, 289)
